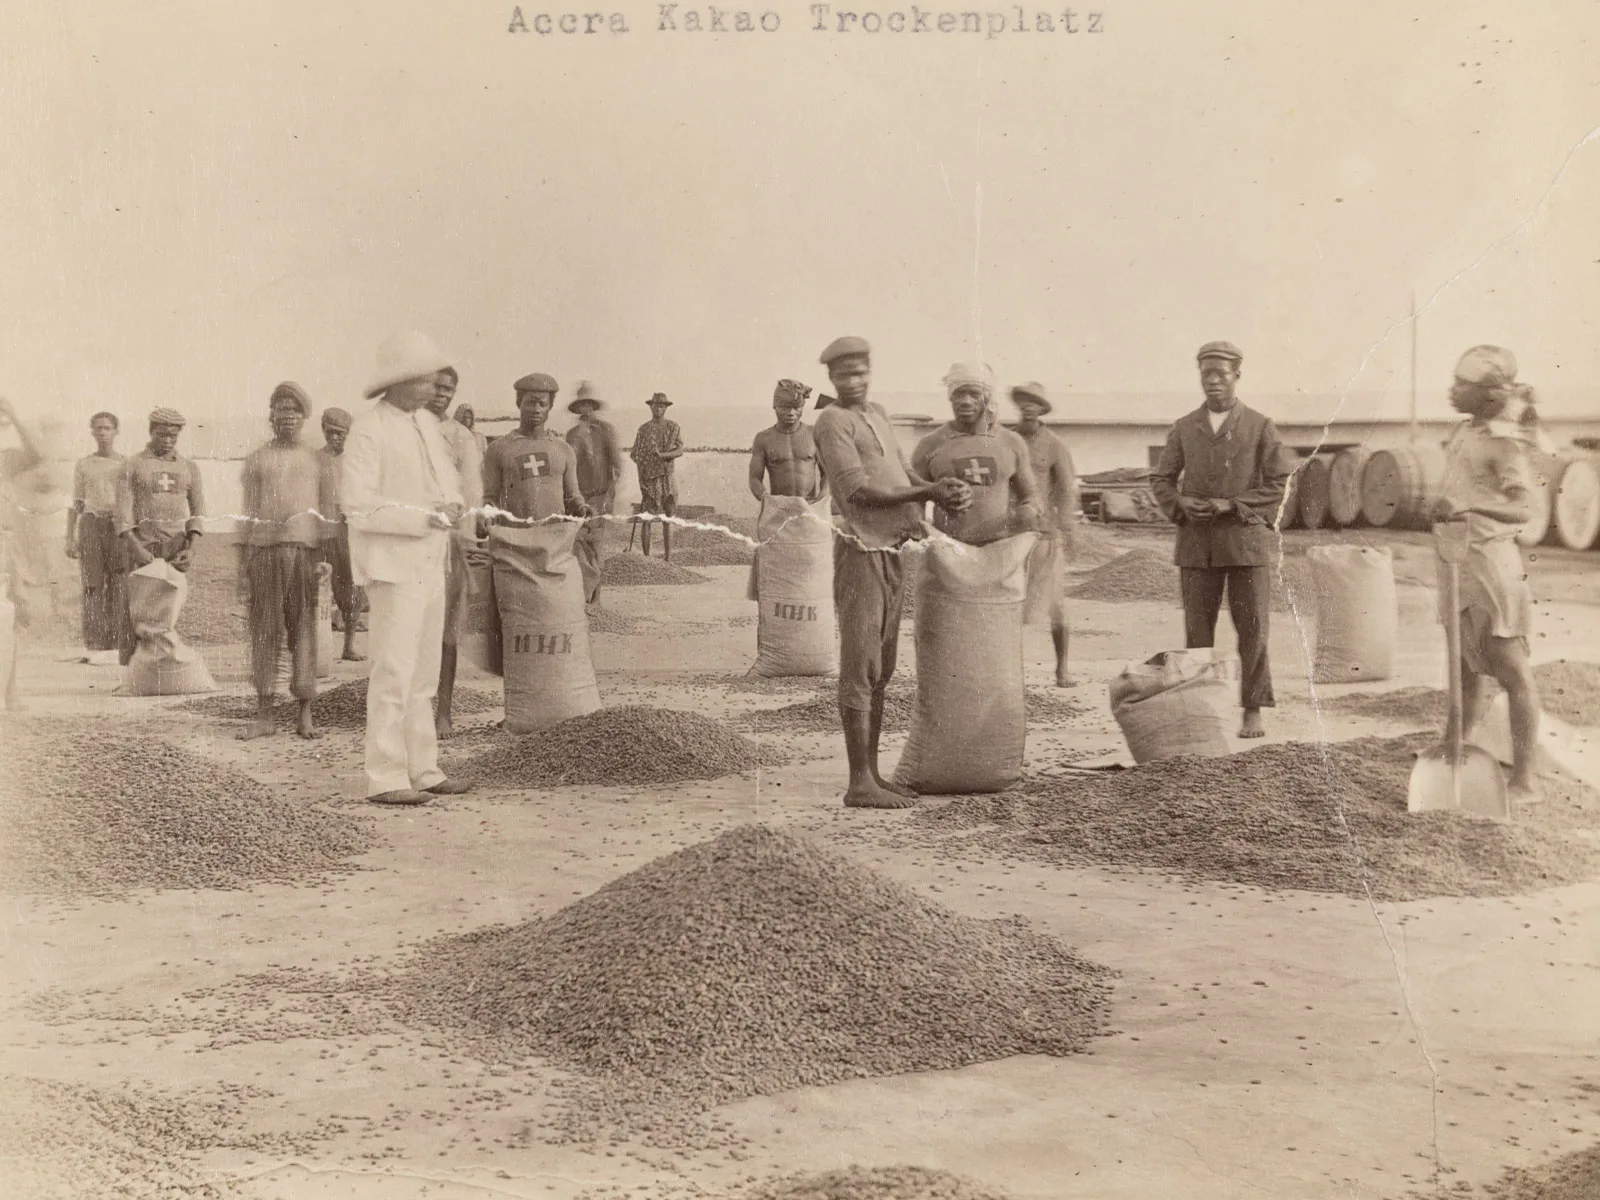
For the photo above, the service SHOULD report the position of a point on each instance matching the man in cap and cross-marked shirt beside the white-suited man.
(532, 473)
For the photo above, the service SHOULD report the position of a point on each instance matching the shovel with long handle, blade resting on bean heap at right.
(1457, 775)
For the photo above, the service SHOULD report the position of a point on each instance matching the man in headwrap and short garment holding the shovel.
(1487, 484)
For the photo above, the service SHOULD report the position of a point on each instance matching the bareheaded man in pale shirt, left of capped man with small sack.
(92, 540)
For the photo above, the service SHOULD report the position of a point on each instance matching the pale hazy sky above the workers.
(204, 199)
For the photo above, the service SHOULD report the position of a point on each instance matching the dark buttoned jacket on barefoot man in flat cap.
(1246, 462)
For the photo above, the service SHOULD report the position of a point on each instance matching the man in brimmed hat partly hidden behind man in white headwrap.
(1058, 516)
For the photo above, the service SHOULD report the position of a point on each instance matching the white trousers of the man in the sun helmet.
(406, 634)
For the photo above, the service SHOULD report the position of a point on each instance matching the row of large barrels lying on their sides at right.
(1396, 489)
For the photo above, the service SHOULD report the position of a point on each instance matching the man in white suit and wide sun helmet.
(402, 498)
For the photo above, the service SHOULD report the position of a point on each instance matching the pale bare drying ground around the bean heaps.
(1274, 1044)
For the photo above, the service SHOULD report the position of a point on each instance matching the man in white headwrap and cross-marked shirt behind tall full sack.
(990, 460)
